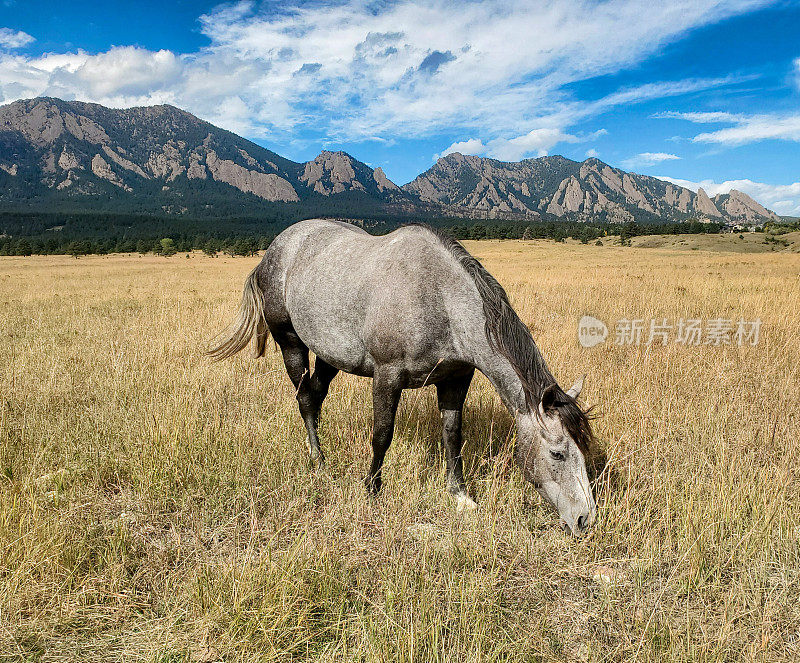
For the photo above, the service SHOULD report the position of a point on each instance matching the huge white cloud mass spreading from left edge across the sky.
(357, 69)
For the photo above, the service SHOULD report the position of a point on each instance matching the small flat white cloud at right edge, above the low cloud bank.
(745, 128)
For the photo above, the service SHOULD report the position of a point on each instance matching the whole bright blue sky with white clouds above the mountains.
(703, 92)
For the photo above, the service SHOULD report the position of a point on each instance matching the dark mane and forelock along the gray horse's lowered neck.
(509, 336)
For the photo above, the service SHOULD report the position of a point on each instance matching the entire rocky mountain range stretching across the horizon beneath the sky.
(160, 160)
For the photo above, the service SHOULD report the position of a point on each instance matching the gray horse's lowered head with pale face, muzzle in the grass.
(553, 445)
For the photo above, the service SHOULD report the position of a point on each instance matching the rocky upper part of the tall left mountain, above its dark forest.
(80, 149)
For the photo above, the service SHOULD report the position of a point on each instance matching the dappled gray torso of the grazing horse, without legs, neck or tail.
(359, 300)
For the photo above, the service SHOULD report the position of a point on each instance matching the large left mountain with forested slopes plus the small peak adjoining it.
(162, 160)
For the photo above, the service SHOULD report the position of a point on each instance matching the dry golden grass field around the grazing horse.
(157, 507)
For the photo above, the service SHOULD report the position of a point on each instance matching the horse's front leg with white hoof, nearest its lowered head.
(452, 393)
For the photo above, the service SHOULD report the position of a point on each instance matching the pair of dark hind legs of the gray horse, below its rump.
(310, 390)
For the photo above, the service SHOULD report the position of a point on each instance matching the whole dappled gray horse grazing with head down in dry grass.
(409, 309)
